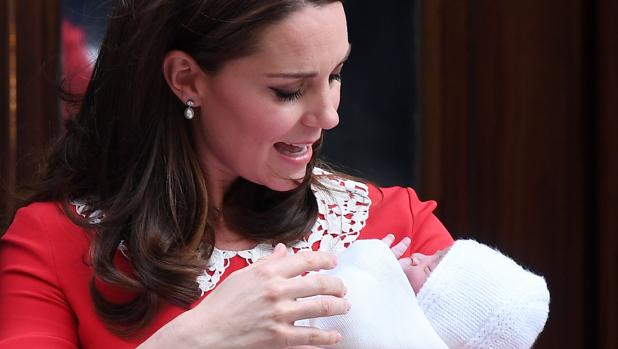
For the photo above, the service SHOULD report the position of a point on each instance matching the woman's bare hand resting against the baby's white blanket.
(255, 307)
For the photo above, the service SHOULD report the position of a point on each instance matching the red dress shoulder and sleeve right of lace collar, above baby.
(399, 211)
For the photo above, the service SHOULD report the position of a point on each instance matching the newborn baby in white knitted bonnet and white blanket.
(467, 296)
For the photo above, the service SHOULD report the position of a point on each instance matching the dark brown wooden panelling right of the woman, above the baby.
(520, 148)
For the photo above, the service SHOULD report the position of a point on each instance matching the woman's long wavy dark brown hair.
(128, 152)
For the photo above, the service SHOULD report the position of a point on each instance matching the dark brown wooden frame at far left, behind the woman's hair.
(29, 109)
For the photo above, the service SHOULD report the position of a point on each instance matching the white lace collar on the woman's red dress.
(343, 209)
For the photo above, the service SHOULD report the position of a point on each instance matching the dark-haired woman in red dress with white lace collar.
(195, 154)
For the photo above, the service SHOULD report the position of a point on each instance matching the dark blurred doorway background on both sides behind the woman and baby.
(505, 112)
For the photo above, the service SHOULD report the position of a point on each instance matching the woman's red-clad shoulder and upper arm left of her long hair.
(45, 276)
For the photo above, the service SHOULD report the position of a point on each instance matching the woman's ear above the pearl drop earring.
(183, 75)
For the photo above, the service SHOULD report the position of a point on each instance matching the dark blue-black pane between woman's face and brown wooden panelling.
(376, 137)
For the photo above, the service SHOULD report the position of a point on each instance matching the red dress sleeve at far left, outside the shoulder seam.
(34, 311)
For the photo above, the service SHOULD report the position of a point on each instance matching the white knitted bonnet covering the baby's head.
(479, 298)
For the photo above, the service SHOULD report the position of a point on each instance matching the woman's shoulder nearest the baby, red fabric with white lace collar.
(367, 211)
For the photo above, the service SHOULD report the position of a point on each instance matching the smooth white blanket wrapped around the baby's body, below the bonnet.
(384, 312)
